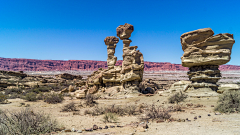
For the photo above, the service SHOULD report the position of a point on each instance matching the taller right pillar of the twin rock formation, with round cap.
(133, 63)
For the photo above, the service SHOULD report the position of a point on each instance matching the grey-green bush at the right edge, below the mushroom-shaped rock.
(228, 102)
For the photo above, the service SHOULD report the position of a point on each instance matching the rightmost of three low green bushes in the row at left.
(53, 98)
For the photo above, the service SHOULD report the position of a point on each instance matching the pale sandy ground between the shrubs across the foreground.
(224, 124)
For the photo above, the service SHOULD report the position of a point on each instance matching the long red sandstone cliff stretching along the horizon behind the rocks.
(49, 65)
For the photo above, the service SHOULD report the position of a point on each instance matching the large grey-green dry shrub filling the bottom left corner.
(26, 122)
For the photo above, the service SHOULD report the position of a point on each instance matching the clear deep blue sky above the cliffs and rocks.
(76, 29)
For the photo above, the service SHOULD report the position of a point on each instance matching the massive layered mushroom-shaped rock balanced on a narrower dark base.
(203, 53)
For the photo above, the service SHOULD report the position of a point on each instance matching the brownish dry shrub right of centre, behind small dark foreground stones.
(155, 112)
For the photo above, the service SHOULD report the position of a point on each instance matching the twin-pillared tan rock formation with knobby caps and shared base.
(129, 75)
